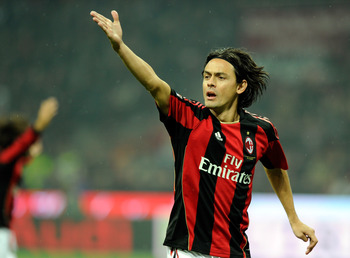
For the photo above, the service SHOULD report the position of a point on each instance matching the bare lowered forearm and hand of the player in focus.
(279, 180)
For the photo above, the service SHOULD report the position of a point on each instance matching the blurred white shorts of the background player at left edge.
(8, 243)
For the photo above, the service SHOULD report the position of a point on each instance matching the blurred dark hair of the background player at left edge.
(10, 128)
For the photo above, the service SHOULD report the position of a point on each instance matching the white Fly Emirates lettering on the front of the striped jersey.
(229, 170)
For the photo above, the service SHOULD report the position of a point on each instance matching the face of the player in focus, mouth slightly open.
(220, 88)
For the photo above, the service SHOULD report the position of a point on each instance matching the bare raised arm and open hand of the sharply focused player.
(143, 72)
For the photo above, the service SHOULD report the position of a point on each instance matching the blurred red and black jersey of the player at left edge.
(12, 160)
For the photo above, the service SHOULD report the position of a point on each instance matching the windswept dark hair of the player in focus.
(245, 68)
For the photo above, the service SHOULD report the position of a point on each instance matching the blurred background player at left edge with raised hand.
(19, 143)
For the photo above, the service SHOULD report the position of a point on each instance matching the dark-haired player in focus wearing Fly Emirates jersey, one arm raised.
(216, 147)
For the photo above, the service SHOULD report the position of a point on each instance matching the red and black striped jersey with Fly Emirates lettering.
(214, 170)
